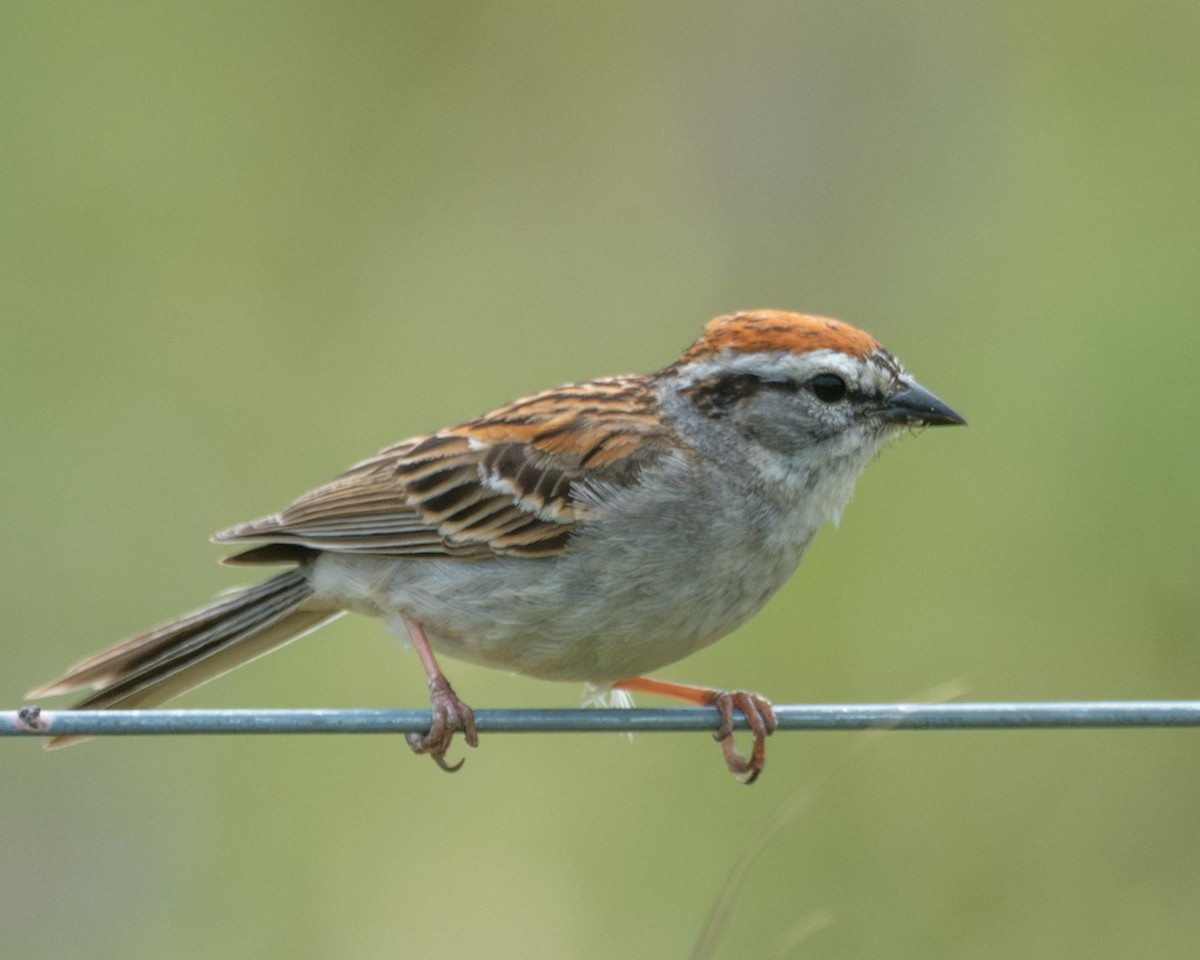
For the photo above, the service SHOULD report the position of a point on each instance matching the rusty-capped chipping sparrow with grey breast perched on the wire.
(592, 532)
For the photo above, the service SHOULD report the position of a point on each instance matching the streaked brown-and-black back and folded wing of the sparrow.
(508, 483)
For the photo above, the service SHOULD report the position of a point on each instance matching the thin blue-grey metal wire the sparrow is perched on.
(34, 722)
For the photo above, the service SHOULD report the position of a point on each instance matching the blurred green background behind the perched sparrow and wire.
(247, 245)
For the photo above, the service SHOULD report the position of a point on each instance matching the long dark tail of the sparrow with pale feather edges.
(171, 659)
